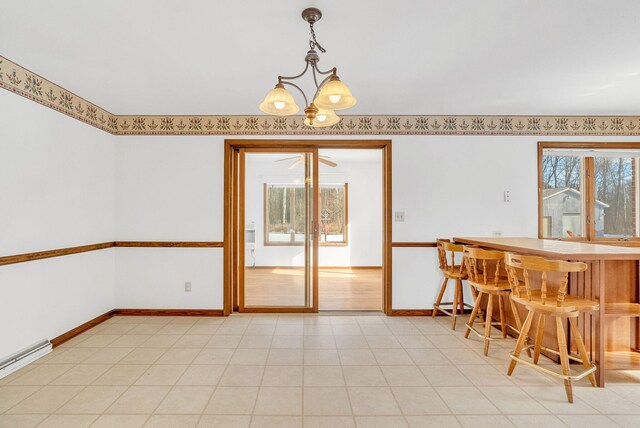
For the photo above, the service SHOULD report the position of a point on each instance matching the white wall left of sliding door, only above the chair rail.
(169, 188)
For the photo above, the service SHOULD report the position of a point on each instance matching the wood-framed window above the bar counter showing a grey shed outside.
(589, 191)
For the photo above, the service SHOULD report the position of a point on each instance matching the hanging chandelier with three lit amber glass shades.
(331, 94)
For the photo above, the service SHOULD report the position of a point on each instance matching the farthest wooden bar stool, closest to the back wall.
(454, 272)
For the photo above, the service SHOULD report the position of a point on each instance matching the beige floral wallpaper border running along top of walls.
(23, 82)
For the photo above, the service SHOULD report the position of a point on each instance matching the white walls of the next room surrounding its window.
(364, 176)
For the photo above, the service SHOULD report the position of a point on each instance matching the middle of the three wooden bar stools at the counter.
(487, 274)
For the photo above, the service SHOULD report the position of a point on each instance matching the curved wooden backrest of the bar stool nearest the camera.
(527, 266)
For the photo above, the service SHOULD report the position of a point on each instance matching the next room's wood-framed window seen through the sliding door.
(285, 216)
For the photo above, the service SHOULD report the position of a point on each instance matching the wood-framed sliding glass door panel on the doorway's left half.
(278, 238)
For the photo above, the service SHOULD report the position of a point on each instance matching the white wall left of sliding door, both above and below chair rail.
(169, 189)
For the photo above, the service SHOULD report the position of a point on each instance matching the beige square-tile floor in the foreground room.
(294, 371)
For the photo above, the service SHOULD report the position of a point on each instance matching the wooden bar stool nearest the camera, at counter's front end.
(547, 302)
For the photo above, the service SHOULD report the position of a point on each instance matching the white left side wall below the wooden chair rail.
(45, 298)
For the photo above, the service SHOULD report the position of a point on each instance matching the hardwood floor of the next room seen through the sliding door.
(339, 288)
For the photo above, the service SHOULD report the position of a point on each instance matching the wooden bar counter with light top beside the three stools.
(612, 335)
